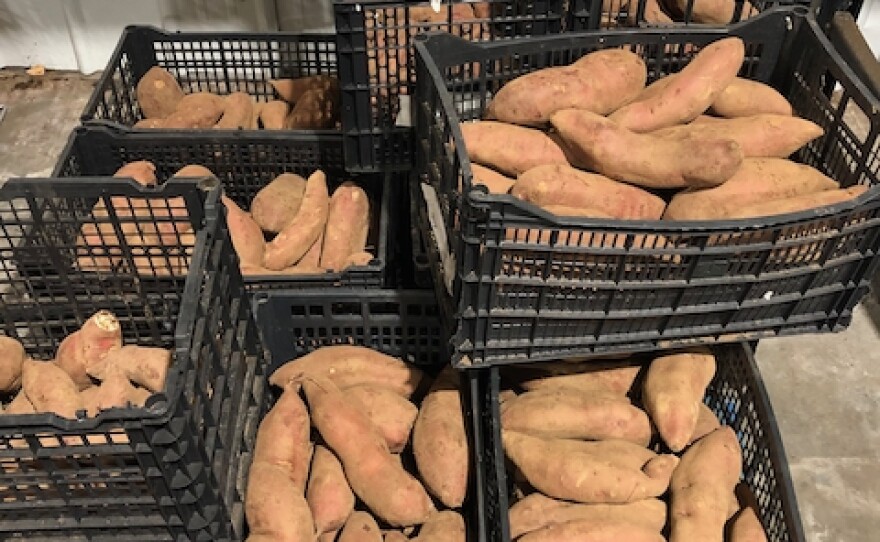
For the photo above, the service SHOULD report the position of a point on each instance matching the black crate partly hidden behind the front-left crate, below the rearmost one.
(245, 163)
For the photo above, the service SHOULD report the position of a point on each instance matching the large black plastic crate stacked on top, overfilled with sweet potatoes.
(664, 283)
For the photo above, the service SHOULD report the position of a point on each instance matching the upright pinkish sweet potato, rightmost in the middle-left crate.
(348, 224)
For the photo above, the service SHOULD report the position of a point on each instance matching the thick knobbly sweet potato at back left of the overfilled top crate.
(601, 82)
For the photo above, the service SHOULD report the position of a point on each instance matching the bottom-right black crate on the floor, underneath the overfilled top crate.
(736, 395)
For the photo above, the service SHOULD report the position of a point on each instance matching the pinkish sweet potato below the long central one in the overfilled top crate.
(565, 185)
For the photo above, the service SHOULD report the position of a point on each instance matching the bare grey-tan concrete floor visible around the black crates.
(825, 389)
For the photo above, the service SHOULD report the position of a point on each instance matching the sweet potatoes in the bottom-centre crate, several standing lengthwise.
(359, 446)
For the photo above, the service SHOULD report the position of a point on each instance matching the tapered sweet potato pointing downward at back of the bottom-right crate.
(673, 392)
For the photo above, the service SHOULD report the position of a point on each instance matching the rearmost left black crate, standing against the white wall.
(219, 62)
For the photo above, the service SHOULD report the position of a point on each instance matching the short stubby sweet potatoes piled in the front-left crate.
(92, 371)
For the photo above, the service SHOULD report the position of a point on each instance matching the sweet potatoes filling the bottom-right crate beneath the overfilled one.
(623, 451)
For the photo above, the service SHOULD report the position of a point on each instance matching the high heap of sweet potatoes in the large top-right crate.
(590, 139)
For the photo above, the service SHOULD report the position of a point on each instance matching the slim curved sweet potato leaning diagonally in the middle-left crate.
(299, 235)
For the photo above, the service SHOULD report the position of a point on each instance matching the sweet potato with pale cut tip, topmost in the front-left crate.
(87, 346)
